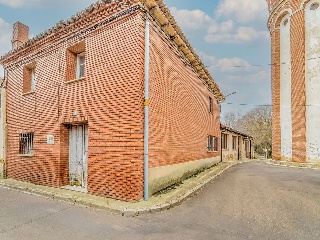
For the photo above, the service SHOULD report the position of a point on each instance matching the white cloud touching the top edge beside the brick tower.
(243, 11)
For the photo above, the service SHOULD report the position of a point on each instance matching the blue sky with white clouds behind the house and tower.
(230, 36)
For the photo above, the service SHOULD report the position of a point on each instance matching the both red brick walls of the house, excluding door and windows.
(110, 100)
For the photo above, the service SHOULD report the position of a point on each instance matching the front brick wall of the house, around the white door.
(109, 99)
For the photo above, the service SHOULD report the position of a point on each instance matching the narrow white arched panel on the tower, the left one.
(285, 90)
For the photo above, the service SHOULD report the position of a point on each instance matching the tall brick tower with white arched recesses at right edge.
(295, 30)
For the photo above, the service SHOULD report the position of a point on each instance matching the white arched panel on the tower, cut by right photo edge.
(312, 48)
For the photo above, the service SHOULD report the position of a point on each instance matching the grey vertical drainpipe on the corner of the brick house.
(146, 111)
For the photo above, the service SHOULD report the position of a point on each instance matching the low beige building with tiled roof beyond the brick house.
(235, 146)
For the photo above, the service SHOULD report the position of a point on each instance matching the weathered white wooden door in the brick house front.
(78, 155)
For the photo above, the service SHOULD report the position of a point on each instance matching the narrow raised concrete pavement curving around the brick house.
(164, 200)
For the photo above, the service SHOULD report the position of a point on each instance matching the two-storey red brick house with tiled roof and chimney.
(114, 101)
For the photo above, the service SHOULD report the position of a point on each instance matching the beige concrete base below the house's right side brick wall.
(162, 177)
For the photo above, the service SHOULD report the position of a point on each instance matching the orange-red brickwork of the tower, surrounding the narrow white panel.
(296, 12)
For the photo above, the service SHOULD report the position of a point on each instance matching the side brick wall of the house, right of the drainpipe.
(179, 108)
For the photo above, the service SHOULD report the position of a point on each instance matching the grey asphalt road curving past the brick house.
(248, 201)
